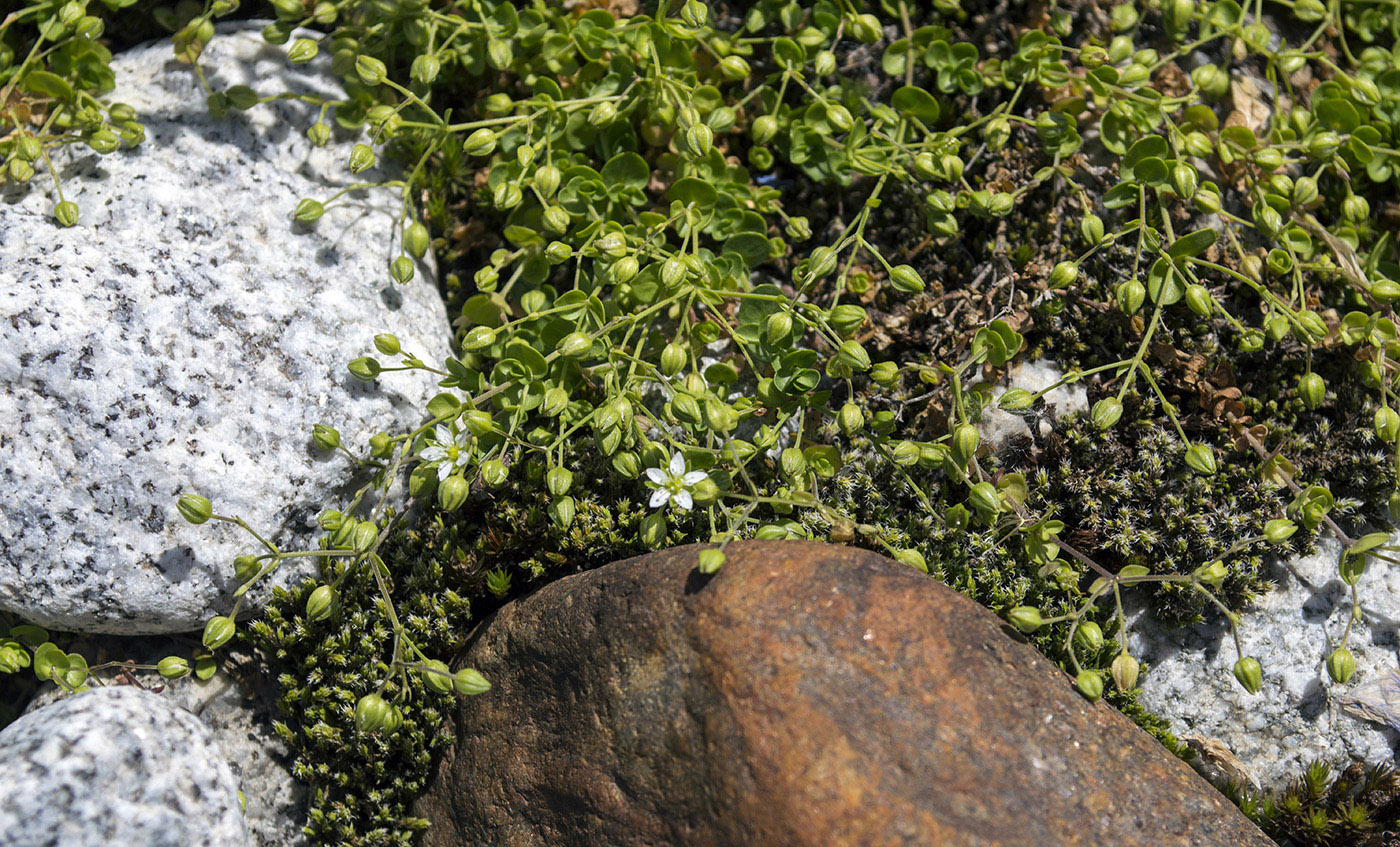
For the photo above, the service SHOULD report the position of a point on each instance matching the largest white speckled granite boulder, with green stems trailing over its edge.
(185, 337)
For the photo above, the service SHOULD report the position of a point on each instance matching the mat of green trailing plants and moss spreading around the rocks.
(759, 271)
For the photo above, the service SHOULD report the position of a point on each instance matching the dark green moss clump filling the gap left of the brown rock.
(363, 786)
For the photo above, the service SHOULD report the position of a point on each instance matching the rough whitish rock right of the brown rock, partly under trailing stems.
(1291, 631)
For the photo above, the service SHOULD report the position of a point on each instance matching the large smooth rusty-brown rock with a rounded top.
(806, 695)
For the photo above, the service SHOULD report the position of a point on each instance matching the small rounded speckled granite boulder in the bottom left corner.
(115, 766)
